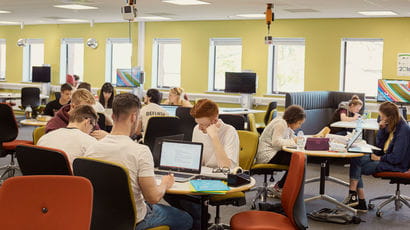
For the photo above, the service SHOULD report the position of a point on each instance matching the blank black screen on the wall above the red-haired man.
(240, 82)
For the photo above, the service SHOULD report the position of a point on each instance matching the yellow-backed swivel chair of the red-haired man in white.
(248, 143)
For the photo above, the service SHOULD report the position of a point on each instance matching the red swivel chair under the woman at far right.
(395, 178)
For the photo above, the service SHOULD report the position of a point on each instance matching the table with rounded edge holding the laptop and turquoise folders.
(185, 189)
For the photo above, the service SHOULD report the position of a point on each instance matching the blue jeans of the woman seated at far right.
(362, 166)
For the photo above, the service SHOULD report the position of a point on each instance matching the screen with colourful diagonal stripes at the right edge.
(397, 91)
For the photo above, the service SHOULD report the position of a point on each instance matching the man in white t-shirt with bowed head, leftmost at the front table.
(75, 138)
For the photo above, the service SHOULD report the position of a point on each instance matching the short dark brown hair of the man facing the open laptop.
(125, 104)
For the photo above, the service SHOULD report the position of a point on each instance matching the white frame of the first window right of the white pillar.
(155, 60)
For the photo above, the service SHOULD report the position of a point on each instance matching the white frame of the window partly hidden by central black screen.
(213, 43)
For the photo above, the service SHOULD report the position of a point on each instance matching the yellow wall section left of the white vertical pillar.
(94, 59)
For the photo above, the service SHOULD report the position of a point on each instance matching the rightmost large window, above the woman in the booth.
(361, 62)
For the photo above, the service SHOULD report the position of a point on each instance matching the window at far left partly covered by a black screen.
(33, 55)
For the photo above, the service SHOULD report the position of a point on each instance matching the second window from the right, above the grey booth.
(286, 65)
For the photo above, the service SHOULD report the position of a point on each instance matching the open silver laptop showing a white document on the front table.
(182, 158)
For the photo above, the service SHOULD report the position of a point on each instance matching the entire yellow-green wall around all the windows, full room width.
(323, 37)
